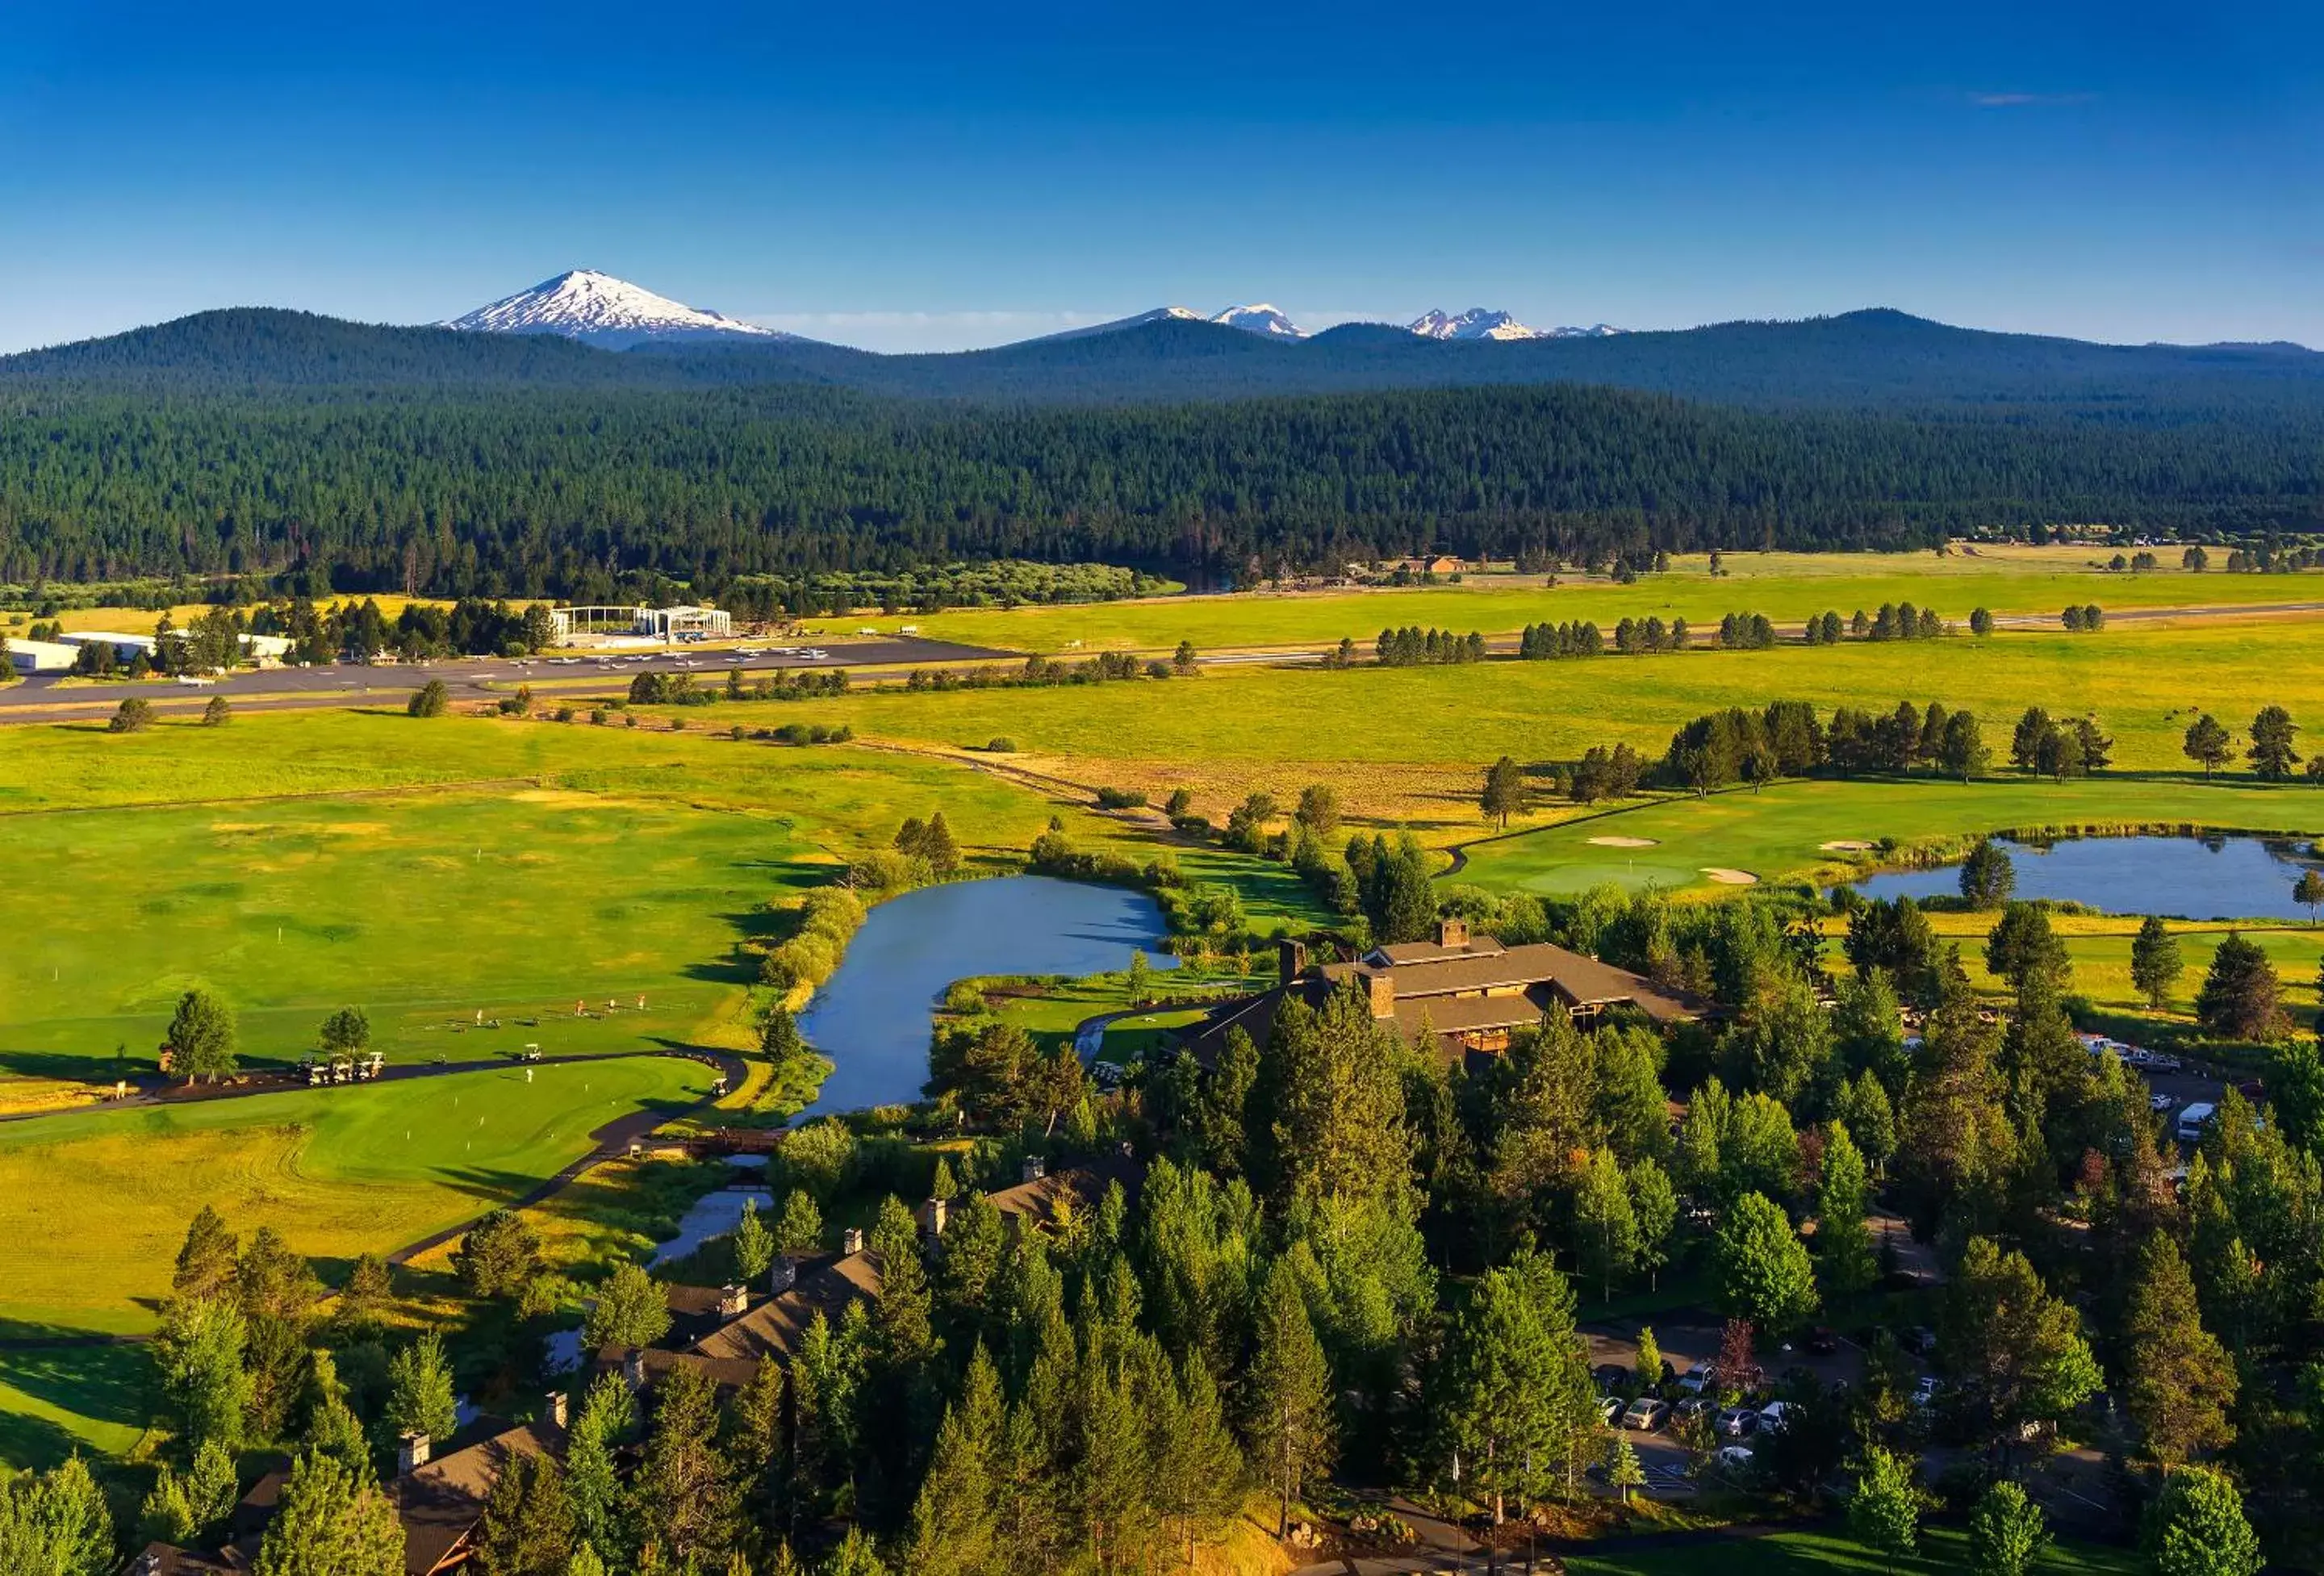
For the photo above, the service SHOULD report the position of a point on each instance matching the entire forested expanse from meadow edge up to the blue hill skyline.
(410, 459)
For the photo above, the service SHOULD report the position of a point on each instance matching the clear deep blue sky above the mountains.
(938, 175)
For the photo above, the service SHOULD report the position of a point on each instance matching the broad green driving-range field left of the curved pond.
(440, 871)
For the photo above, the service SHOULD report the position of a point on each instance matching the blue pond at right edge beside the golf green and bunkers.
(2183, 877)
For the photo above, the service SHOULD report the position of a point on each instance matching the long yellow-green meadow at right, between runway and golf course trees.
(1407, 745)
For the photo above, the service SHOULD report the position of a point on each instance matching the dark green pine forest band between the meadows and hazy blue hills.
(505, 489)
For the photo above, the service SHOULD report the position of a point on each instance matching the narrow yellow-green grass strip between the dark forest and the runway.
(1784, 587)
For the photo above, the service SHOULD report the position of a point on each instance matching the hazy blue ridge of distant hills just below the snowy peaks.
(1863, 359)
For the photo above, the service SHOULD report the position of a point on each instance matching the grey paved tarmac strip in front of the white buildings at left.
(43, 696)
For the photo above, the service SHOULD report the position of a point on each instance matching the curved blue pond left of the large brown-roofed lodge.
(873, 1017)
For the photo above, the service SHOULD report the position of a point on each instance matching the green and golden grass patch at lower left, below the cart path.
(338, 1173)
